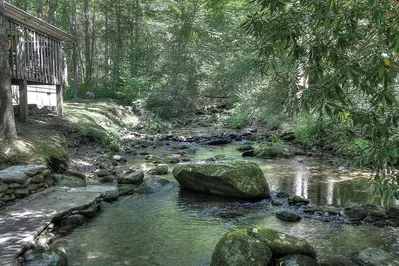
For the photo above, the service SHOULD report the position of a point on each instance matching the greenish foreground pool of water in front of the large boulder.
(177, 227)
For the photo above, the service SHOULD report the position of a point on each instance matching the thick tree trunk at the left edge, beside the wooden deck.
(7, 121)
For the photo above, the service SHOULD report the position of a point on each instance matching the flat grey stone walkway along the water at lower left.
(22, 222)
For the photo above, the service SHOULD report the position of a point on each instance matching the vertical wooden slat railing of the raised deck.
(34, 57)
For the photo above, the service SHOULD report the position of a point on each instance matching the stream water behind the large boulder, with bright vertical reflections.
(309, 177)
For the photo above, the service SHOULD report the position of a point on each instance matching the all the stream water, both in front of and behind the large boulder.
(180, 227)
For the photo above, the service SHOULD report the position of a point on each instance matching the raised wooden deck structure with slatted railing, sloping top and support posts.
(35, 54)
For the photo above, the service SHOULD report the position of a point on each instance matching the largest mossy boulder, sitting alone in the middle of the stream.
(238, 179)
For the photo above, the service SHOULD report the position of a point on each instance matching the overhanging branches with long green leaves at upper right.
(343, 56)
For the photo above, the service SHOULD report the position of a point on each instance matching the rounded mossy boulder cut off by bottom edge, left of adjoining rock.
(237, 248)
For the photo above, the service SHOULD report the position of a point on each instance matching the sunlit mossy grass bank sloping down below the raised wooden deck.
(50, 139)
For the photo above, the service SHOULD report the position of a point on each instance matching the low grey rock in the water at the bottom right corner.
(374, 257)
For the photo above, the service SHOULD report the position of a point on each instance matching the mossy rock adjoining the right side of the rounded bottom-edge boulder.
(282, 244)
